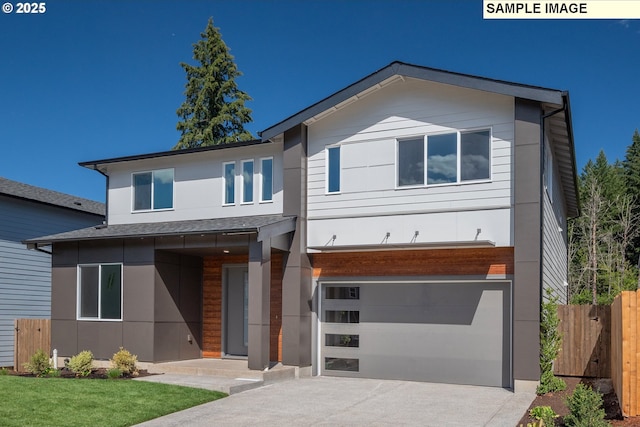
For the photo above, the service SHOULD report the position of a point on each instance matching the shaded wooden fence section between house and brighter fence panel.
(586, 332)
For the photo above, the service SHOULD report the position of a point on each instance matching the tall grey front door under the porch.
(237, 311)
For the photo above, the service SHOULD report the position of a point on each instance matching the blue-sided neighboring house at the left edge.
(25, 276)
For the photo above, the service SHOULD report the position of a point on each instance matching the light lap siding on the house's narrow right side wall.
(554, 255)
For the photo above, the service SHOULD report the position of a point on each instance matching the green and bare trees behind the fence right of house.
(602, 241)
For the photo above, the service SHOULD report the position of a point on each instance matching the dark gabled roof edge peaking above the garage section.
(381, 77)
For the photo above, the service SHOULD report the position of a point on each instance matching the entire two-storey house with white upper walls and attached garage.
(404, 227)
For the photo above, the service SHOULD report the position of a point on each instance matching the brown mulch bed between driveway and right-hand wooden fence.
(557, 402)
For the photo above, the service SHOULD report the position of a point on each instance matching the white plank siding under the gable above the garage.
(369, 205)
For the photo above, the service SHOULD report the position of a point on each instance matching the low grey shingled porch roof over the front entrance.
(264, 225)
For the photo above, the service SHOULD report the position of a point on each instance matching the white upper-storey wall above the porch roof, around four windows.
(198, 185)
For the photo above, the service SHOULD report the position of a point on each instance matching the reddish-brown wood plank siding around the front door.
(212, 322)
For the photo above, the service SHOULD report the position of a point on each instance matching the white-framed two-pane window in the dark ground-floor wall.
(100, 291)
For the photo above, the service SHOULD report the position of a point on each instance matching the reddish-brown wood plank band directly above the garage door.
(432, 262)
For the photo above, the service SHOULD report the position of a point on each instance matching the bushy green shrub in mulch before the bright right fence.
(585, 408)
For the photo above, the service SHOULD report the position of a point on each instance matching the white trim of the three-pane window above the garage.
(459, 180)
